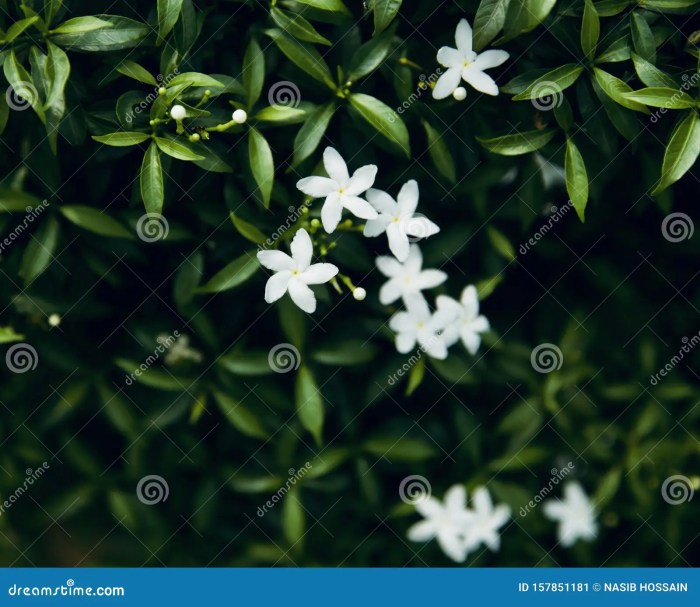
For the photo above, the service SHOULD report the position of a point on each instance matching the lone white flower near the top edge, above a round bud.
(463, 63)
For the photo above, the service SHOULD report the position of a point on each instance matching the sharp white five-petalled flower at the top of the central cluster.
(340, 190)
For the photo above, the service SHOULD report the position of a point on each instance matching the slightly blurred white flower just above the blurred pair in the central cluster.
(408, 278)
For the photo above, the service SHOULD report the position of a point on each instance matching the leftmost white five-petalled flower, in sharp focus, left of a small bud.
(295, 273)
